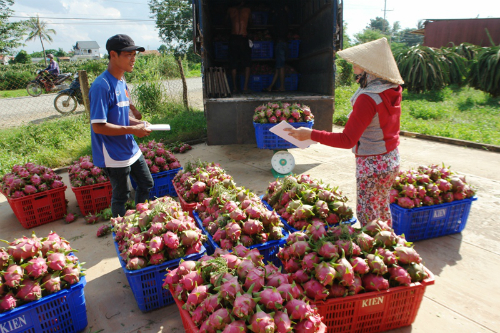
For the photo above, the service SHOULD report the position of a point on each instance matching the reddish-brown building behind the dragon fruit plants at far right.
(448, 32)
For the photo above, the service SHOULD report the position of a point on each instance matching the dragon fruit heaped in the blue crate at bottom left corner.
(33, 267)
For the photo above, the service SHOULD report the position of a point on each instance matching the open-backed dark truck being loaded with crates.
(318, 25)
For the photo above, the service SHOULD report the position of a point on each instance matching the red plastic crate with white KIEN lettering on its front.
(374, 311)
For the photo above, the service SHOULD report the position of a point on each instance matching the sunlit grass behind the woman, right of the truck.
(454, 112)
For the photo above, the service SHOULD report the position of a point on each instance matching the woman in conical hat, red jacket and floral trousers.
(372, 130)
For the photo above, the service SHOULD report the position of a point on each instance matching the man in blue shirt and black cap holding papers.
(112, 129)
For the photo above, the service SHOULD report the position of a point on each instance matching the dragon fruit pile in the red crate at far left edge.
(29, 179)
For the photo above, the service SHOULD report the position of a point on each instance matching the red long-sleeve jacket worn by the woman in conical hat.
(373, 126)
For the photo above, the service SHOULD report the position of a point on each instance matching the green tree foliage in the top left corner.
(11, 33)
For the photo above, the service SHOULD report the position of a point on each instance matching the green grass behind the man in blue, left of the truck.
(59, 142)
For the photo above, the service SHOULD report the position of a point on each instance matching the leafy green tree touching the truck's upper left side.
(175, 24)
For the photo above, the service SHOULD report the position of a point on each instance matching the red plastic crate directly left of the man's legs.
(93, 198)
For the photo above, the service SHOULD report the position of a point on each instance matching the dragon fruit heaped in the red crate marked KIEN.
(344, 261)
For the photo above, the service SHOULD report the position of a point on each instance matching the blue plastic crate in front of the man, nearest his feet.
(146, 283)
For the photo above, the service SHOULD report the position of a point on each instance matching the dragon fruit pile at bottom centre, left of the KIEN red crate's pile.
(237, 293)
